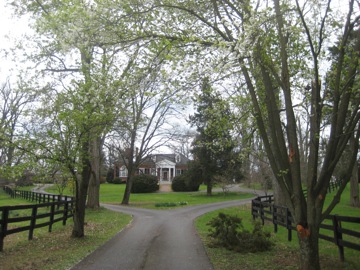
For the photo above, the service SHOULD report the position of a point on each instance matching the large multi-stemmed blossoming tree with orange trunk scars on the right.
(278, 54)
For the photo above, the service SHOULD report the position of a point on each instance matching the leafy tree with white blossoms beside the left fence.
(83, 66)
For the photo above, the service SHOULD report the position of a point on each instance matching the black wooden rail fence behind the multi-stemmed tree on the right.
(263, 207)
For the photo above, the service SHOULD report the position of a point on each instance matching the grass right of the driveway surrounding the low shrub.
(284, 255)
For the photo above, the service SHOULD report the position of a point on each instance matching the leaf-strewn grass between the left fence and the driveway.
(57, 250)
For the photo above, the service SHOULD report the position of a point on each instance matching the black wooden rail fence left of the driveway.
(48, 210)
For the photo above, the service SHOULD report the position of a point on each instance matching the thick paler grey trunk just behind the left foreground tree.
(94, 185)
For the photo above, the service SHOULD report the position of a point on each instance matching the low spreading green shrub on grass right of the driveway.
(227, 231)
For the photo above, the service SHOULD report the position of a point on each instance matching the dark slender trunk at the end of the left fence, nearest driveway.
(81, 193)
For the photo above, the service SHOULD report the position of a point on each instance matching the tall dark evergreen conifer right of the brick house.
(214, 148)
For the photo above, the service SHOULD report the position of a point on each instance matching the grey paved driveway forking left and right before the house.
(156, 240)
